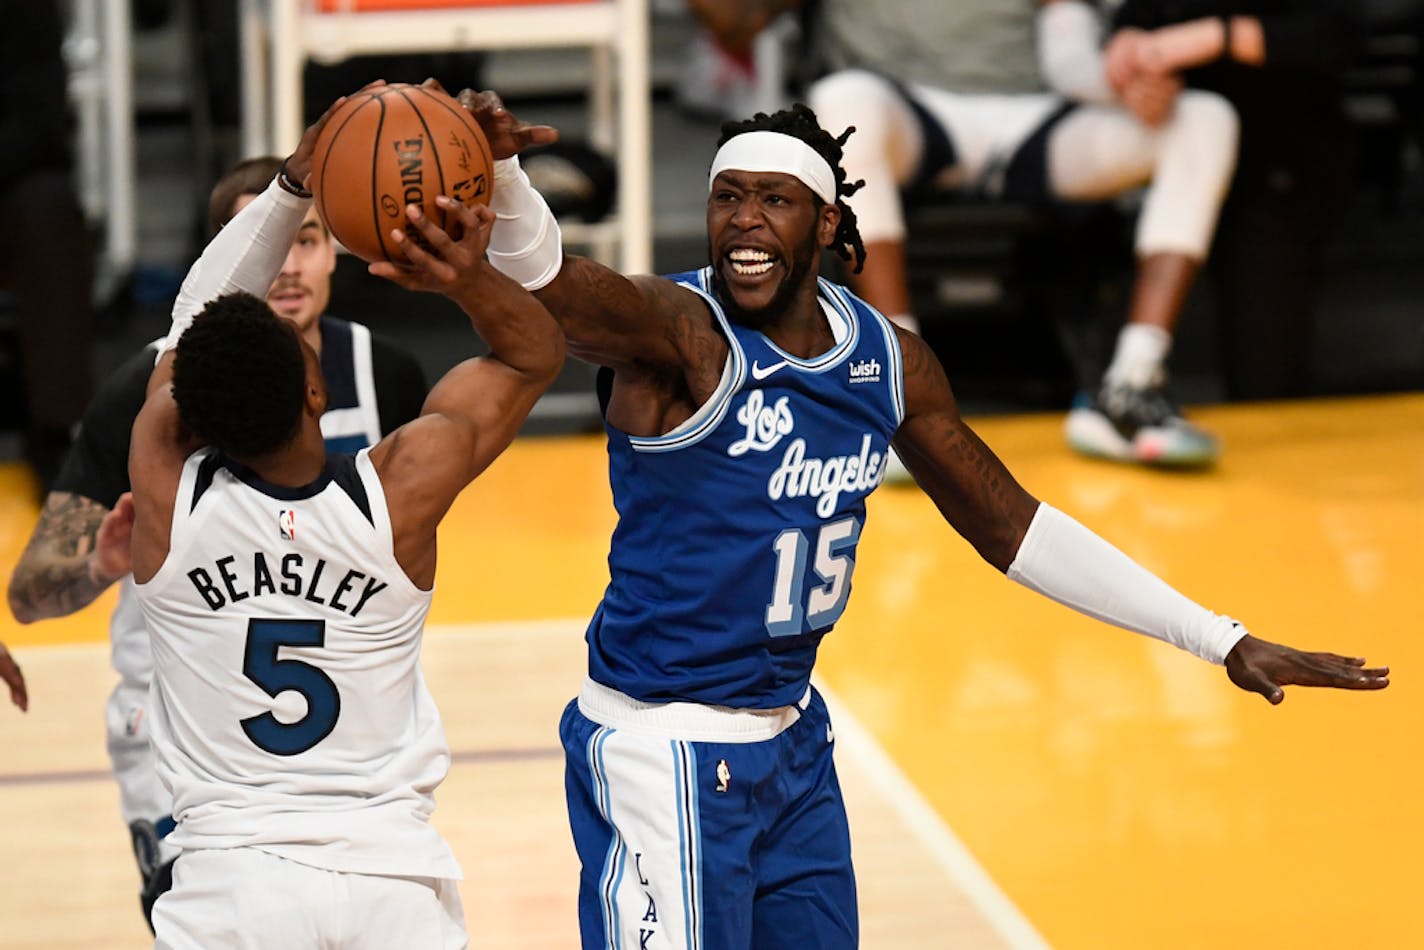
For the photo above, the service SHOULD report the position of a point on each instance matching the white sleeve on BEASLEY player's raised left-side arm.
(246, 256)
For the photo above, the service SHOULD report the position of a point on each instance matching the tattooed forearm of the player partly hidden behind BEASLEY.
(53, 576)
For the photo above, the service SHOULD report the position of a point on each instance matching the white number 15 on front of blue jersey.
(787, 616)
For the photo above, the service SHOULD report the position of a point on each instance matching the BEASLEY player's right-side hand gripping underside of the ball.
(441, 260)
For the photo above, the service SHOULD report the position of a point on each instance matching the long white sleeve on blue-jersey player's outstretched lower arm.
(1066, 562)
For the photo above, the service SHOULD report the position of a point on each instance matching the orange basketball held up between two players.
(391, 147)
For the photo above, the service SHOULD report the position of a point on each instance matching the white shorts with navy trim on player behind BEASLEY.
(145, 803)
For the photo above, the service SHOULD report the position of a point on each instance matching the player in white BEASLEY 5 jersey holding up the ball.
(286, 590)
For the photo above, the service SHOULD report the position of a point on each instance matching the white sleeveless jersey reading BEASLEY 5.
(288, 707)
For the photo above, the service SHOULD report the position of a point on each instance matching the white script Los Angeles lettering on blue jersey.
(824, 479)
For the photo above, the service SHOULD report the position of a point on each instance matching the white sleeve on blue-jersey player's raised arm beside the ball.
(526, 243)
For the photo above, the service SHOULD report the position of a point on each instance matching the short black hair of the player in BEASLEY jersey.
(240, 378)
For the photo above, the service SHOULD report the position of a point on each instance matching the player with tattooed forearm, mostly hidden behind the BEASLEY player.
(80, 545)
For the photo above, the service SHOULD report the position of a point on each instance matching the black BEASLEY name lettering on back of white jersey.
(229, 582)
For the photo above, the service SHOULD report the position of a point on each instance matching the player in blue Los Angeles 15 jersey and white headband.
(750, 409)
